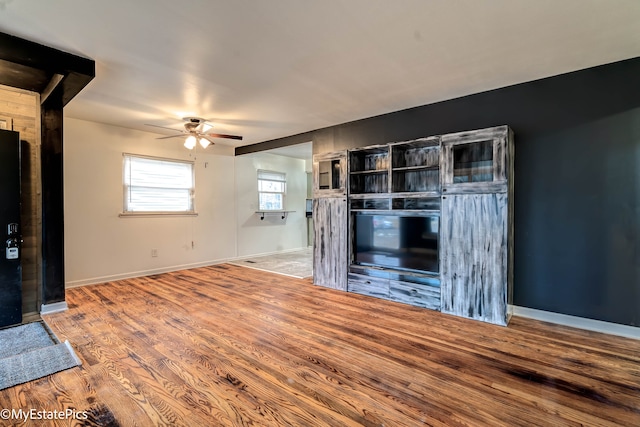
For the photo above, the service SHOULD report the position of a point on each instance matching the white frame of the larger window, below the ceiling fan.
(128, 210)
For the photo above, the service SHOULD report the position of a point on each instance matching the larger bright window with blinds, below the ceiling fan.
(154, 185)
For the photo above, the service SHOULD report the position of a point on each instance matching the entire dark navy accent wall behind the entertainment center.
(577, 181)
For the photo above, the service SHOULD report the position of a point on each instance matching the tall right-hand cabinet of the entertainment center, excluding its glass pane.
(476, 258)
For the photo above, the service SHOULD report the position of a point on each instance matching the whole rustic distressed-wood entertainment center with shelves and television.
(427, 222)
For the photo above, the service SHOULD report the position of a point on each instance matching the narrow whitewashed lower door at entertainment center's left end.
(330, 242)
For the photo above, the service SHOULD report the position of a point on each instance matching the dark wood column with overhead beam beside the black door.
(58, 77)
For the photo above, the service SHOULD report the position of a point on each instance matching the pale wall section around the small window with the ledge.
(273, 234)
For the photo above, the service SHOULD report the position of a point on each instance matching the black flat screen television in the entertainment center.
(397, 241)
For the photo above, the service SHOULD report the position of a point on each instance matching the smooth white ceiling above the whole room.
(269, 69)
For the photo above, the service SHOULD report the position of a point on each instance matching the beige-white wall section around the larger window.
(101, 246)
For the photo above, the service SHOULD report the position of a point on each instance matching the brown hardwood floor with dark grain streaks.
(230, 346)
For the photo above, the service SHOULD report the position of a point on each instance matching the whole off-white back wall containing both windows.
(100, 245)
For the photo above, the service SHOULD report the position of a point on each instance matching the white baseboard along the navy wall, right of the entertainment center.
(578, 322)
